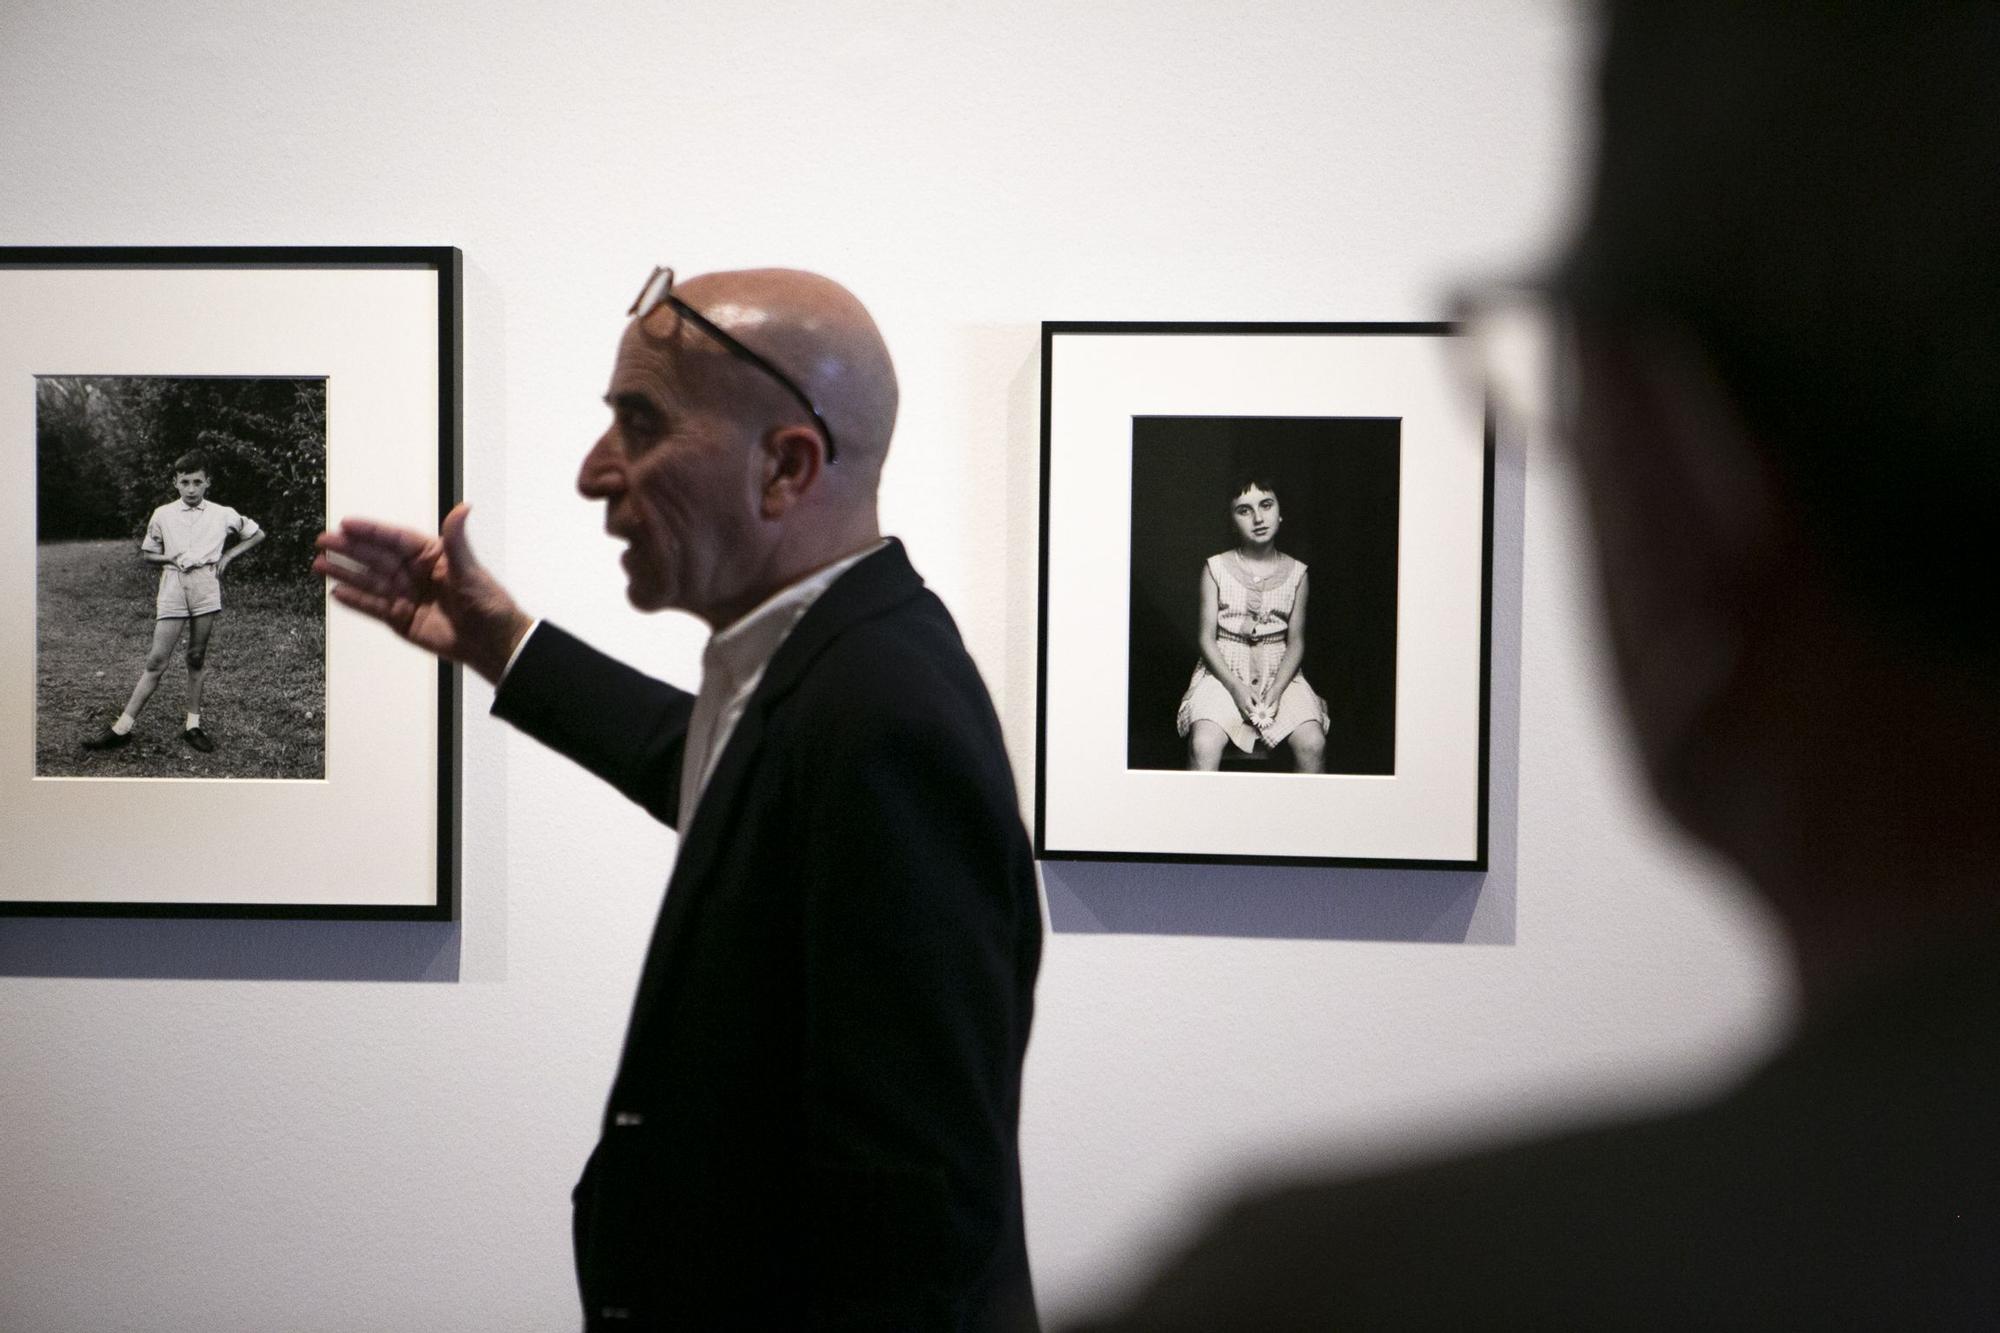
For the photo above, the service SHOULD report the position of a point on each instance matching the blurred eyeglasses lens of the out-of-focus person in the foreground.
(1521, 349)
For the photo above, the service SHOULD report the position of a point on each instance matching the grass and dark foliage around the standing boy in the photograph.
(105, 453)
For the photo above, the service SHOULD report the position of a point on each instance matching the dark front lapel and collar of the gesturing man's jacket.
(865, 591)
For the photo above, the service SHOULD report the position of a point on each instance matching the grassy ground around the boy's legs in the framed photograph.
(263, 704)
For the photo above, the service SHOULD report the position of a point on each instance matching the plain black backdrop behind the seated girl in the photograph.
(1339, 487)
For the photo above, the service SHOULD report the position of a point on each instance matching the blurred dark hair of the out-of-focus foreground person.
(1813, 191)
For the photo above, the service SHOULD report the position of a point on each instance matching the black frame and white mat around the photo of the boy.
(371, 840)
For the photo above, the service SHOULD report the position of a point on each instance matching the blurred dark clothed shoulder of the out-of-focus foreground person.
(1851, 1184)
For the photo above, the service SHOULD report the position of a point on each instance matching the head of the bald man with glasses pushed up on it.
(717, 475)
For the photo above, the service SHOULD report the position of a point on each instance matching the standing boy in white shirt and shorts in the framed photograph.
(187, 539)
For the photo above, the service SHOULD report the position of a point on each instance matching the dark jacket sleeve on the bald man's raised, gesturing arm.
(613, 720)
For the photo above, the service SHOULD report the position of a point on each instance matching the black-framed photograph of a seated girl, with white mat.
(1265, 595)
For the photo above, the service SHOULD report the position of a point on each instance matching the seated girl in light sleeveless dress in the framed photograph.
(1251, 639)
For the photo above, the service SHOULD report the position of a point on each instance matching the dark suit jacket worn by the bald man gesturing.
(815, 1116)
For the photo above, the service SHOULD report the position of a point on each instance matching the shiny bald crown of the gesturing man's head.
(815, 331)
